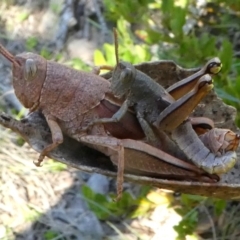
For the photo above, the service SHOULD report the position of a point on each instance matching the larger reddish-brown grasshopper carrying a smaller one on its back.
(70, 100)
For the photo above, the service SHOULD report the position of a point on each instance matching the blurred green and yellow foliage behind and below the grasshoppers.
(188, 32)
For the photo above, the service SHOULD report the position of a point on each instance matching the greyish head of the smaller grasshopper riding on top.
(122, 79)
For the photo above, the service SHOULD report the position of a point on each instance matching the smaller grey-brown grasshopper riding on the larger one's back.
(157, 110)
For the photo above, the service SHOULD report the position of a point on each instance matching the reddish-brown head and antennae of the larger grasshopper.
(29, 72)
